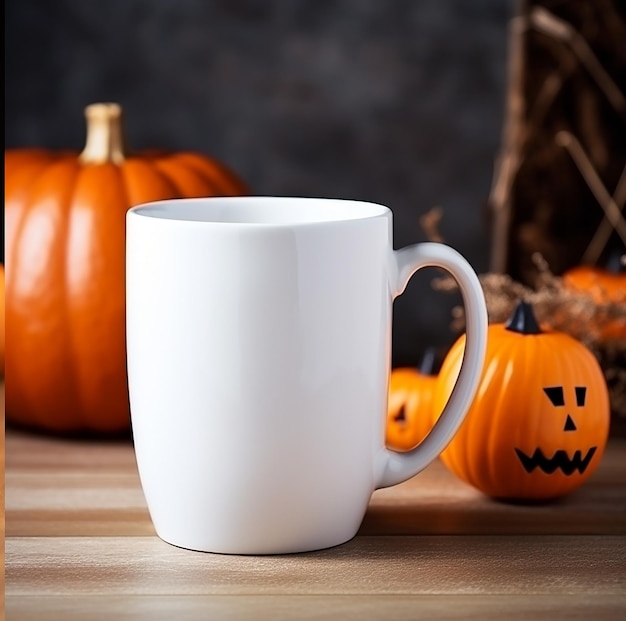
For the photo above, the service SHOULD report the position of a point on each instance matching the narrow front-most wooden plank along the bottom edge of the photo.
(316, 607)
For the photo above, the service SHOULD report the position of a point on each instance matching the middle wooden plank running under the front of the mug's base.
(486, 565)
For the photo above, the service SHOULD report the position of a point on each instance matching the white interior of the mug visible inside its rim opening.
(260, 210)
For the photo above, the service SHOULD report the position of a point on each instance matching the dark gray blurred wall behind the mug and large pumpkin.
(398, 102)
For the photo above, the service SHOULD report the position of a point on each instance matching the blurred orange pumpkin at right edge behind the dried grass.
(607, 287)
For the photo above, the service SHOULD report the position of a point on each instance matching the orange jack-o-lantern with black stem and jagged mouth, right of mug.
(539, 423)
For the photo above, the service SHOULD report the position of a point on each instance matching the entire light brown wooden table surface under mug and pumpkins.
(80, 545)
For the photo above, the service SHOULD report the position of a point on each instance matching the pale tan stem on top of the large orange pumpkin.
(105, 140)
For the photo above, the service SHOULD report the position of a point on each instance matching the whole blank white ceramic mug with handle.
(259, 332)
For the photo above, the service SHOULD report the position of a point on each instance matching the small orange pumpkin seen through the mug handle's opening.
(409, 410)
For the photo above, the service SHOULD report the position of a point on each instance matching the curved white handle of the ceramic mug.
(396, 467)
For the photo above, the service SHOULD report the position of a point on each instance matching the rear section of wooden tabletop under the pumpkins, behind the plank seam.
(59, 487)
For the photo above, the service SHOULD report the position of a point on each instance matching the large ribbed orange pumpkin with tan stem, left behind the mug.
(65, 266)
